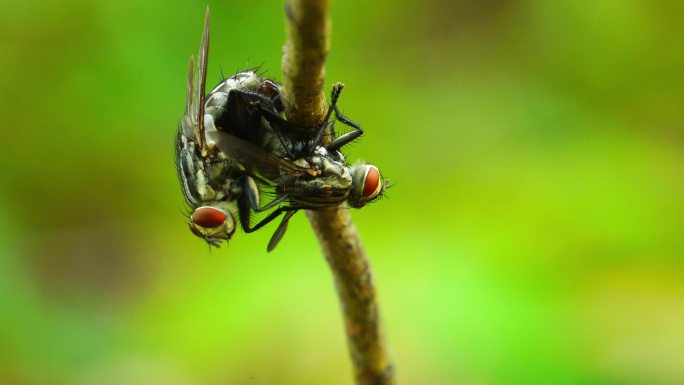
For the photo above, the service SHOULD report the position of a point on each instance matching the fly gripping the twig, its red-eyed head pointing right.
(314, 176)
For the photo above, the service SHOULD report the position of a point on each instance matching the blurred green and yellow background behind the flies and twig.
(534, 233)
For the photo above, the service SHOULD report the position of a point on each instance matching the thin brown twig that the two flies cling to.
(304, 56)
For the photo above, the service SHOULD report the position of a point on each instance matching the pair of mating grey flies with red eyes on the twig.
(234, 144)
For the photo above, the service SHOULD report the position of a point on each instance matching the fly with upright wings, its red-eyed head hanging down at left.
(212, 182)
